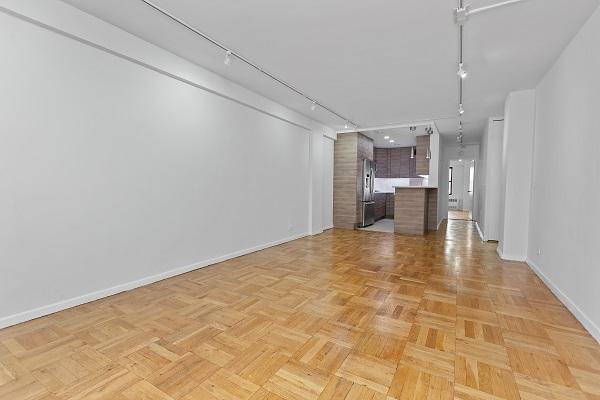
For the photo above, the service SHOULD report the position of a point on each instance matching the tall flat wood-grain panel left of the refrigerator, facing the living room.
(344, 181)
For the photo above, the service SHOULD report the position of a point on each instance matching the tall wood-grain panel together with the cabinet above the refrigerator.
(349, 151)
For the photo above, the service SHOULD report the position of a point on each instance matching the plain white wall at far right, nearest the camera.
(565, 212)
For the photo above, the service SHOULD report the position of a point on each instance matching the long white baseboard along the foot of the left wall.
(89, 297)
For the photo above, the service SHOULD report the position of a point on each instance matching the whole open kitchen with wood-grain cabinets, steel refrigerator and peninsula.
(386, 180)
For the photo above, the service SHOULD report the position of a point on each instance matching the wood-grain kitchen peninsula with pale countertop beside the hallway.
(415, 209)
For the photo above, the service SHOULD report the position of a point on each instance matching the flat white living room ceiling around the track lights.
(376, 62)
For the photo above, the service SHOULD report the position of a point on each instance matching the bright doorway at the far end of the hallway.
(461, 186)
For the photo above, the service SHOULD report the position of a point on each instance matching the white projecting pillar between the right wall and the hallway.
(516, 174)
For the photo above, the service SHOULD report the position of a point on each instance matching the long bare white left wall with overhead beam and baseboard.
(117, 172)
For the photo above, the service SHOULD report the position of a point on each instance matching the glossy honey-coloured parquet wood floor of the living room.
(343, 315)
